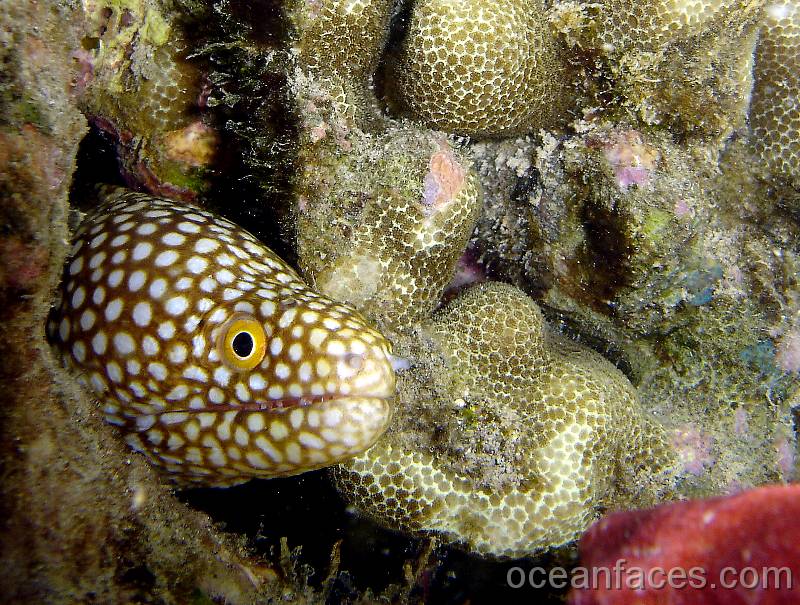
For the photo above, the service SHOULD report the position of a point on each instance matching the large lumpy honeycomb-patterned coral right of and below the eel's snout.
(570, 429)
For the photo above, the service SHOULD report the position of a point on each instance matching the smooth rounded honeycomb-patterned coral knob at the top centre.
(482, 70)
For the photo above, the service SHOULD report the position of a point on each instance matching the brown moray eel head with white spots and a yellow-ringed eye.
(209, 352)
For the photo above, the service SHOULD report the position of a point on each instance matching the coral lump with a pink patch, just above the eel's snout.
(393, 254)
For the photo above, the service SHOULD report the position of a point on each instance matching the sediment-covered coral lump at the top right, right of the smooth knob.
(685, 63)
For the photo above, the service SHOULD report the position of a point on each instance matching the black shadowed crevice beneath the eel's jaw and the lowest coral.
(309, 512)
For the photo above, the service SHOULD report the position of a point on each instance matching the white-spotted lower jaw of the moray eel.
(230, 444)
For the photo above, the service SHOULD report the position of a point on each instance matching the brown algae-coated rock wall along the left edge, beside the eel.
(82, 520)
